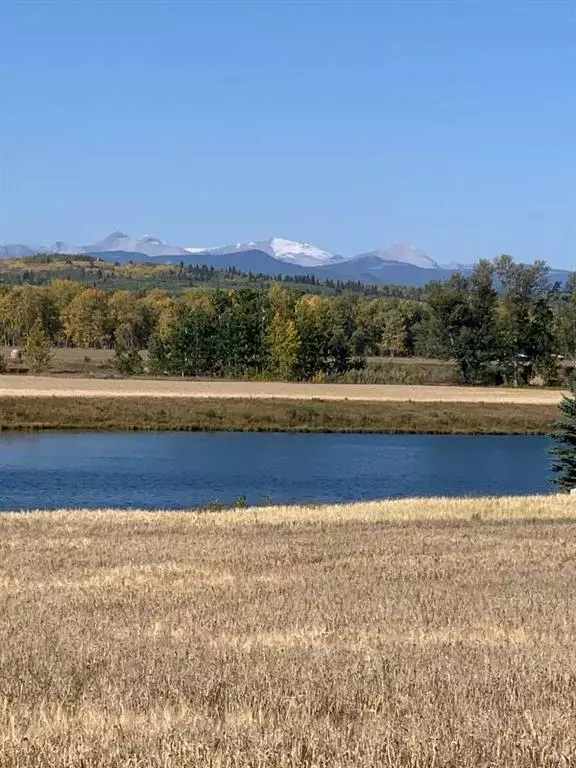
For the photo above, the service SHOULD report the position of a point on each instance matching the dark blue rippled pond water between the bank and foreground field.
(176, 470)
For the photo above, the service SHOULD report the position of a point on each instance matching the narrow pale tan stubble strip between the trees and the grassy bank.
(38, 386)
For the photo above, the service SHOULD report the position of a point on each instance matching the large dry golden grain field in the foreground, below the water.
(399, 634)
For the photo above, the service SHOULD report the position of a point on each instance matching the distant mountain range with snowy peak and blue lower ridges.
(398, 264)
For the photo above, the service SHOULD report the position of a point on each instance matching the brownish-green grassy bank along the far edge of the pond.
(150, 413)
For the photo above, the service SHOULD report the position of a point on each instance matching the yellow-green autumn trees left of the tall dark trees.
(275, 332)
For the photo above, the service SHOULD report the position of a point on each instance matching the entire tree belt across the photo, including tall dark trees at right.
(504, 323)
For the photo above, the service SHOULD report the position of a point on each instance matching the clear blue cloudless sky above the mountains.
(449, 125)
